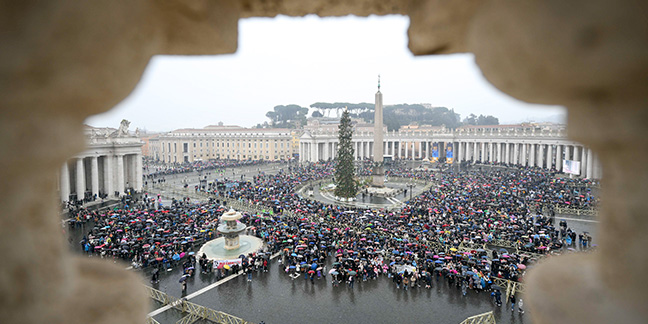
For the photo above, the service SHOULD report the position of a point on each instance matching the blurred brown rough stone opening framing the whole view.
(62, 61)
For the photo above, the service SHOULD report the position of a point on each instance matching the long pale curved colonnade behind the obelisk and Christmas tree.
(526, 147)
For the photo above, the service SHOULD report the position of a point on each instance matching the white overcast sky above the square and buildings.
(301, 61)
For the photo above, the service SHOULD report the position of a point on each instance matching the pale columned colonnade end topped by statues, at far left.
(112, 163)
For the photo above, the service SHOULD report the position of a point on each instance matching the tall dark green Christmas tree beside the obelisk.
(346, 186)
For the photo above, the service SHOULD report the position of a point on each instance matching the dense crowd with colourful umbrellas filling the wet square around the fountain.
(448, 234)
